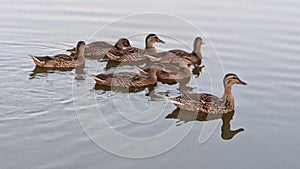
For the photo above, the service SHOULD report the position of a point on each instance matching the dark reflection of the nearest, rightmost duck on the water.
(186, 116)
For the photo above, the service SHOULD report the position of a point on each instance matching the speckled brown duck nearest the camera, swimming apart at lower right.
(208, 103)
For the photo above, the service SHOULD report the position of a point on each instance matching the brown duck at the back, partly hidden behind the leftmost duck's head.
(98, 49)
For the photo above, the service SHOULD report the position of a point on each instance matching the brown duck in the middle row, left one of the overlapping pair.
(128, 79)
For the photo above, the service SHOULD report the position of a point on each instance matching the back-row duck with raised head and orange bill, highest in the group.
(133, 54)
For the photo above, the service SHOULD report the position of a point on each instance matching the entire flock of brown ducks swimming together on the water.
(168, 67)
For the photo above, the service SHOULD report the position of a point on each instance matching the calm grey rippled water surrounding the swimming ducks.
(56, 119)
